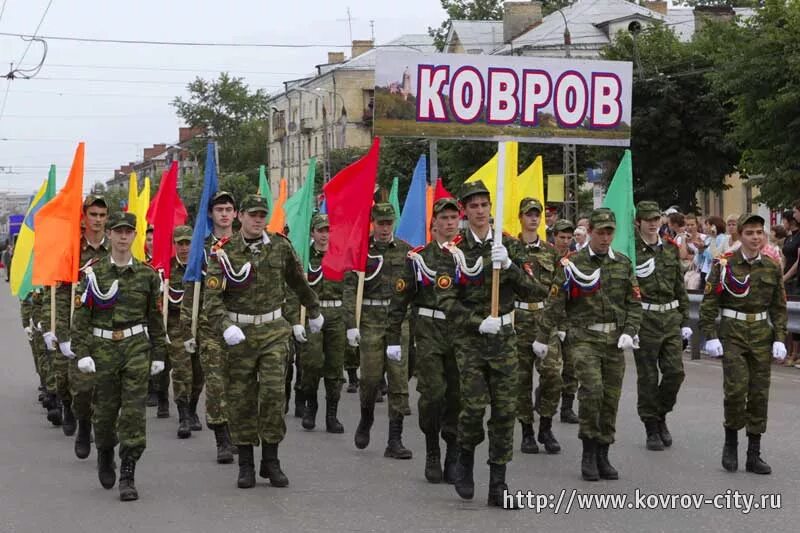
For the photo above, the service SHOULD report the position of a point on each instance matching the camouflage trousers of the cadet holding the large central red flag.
(374, 364)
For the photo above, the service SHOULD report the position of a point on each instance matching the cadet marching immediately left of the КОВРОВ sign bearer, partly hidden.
(427, 285)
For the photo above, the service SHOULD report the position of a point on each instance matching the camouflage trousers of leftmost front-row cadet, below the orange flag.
(120, 391)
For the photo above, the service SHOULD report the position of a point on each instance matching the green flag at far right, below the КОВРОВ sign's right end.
(619, 199)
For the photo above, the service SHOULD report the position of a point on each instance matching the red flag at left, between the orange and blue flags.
(164, 220)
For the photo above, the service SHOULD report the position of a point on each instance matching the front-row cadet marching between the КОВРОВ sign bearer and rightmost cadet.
(602, 304)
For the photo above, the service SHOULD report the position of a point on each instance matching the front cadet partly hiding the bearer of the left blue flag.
(245, 289)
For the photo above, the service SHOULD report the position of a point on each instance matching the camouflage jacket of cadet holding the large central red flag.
(385, 263)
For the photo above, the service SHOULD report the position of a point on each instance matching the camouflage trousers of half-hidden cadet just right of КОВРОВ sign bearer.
(548, 393)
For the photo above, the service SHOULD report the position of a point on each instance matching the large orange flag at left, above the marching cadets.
(56, 251)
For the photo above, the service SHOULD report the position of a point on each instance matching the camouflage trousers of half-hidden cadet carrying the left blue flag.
(214, 363)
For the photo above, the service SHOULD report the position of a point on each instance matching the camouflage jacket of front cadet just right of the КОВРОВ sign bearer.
(612, 296)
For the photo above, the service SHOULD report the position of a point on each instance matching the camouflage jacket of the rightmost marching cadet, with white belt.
(746, 288)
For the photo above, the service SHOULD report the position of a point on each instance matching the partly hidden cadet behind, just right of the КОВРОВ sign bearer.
(539, 262)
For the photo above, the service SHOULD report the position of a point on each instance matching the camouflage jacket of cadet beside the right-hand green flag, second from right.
(658, 271)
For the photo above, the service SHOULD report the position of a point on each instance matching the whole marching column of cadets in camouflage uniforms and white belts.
(571, 315)
